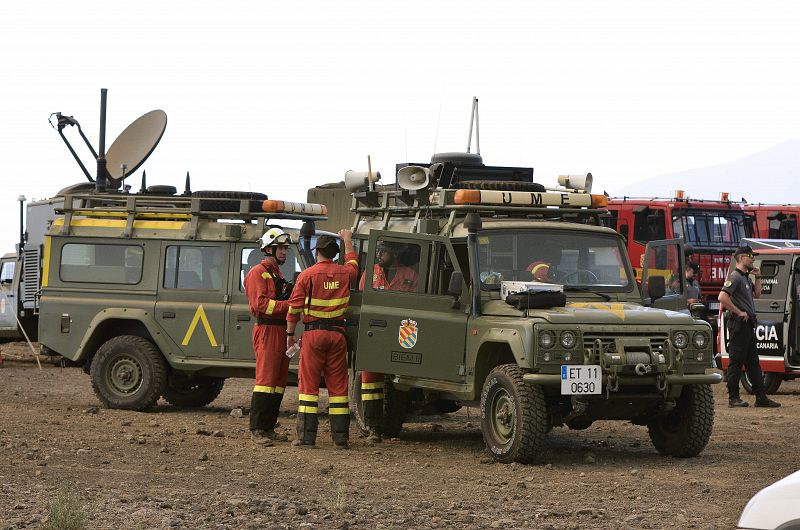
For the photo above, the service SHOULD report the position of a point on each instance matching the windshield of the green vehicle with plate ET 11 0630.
(554, 256)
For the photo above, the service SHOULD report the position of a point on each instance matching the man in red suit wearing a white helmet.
(267, 293)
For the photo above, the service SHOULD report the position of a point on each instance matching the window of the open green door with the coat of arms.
(396, 267)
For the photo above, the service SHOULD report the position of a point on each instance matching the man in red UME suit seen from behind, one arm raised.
(321, 296)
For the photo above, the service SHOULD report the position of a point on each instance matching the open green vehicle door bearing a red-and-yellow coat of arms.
(412, 329)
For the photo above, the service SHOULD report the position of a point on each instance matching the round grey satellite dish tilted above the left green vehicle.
(135, 144)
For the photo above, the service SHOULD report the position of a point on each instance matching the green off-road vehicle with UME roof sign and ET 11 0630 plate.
(477, 319)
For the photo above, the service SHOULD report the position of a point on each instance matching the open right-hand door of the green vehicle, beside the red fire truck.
(663, 275)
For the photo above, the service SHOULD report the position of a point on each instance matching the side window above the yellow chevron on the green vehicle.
(193, 267)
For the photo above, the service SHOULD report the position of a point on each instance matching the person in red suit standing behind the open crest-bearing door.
(389, 275)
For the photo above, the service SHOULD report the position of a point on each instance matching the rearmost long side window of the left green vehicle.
(92, 263)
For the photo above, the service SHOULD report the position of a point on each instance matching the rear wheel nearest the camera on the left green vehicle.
(128, 372)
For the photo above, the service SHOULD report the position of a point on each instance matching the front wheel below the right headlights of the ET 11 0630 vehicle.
(685, 431)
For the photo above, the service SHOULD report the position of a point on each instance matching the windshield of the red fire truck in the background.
(713, 228)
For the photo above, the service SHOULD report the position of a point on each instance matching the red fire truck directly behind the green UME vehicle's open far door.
(713, 229)
